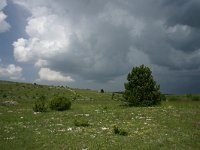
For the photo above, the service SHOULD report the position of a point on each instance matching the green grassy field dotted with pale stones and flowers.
(173, 125)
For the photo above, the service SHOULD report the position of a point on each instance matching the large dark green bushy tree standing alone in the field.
(141, 89)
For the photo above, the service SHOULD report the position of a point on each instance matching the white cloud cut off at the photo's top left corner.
(4, 26)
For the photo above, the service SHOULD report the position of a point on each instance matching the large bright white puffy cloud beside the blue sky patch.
(49, 35)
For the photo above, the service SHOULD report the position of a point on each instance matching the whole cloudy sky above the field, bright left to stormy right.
(94, 44)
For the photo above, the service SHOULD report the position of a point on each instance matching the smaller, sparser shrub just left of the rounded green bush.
(40, 105)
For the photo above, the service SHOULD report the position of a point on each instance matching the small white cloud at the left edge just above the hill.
(11, 71)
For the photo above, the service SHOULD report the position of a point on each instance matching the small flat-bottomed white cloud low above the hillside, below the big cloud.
(47, 74)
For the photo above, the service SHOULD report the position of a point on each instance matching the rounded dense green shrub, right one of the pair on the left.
(60, 103)
